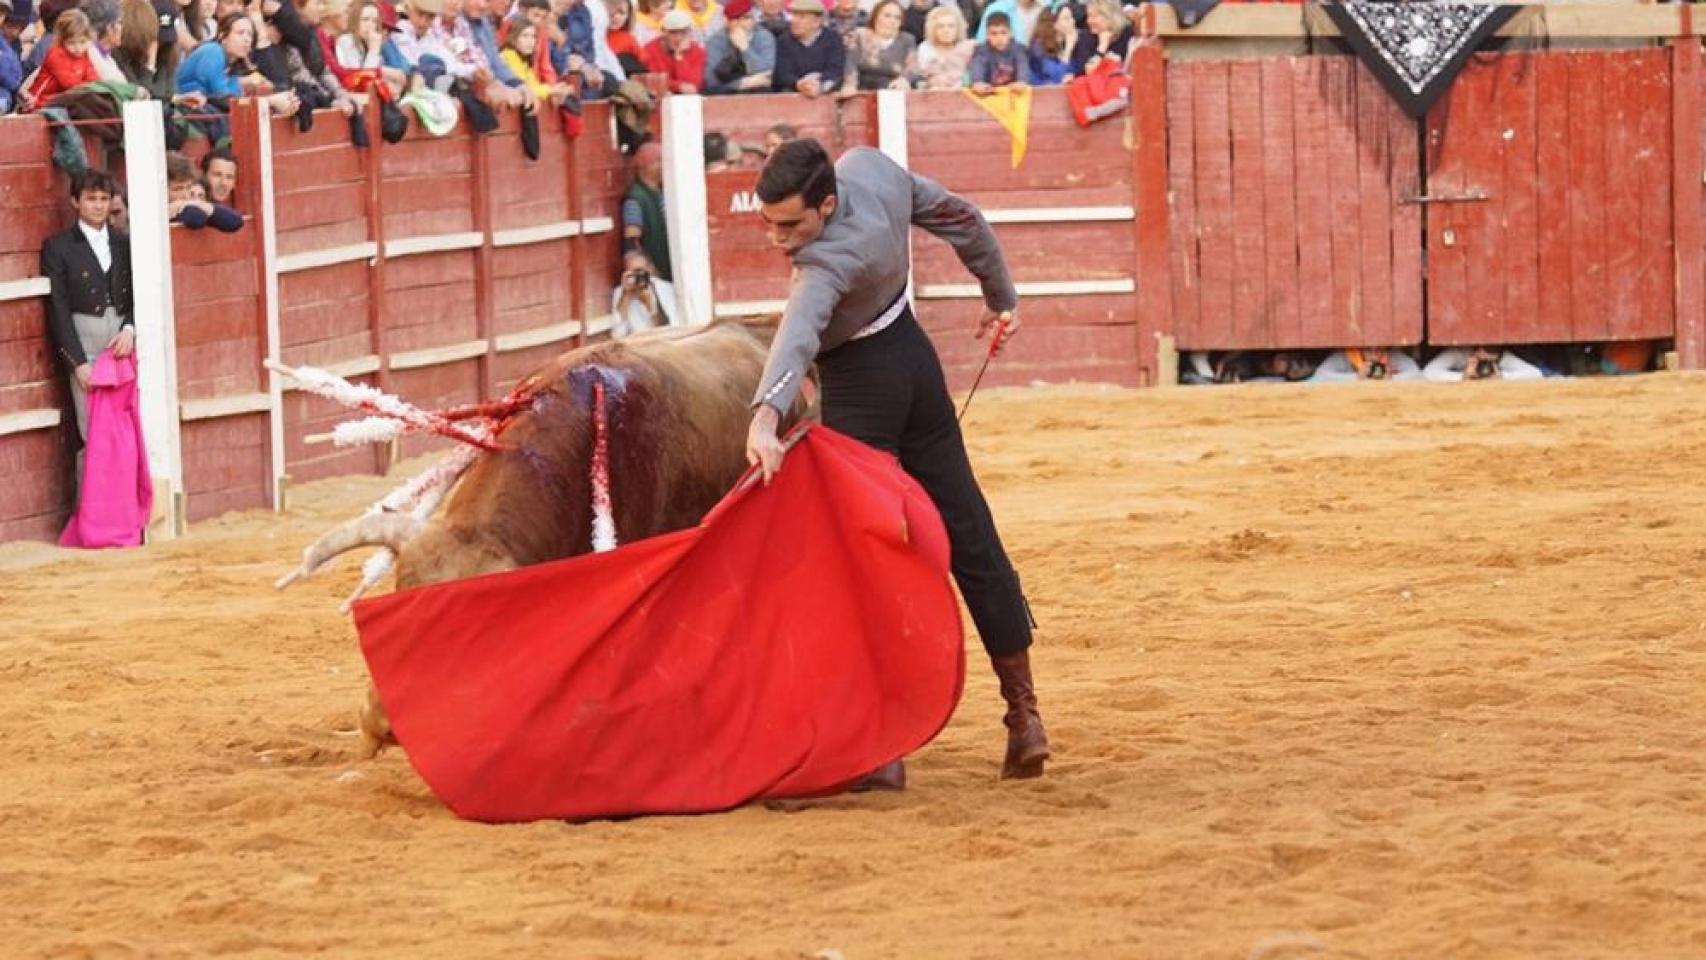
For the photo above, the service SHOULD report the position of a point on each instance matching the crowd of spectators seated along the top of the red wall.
(485, 55)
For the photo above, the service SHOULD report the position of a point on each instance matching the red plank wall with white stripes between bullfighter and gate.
(1086, 332)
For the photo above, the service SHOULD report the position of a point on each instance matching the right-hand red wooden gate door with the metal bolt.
(1550, 200)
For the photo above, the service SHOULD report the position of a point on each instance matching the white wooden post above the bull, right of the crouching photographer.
(690, 233)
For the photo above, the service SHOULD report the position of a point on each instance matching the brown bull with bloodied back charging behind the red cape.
(678, 408)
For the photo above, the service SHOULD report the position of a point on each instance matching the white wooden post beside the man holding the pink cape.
(151, 257)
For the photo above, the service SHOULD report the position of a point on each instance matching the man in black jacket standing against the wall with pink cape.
(91, 304)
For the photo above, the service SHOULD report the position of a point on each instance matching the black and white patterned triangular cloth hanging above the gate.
(1417, 47)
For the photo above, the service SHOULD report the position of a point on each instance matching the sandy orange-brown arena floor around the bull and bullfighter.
(1372, 671)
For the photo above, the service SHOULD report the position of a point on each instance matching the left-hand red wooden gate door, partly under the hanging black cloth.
(1287, 178)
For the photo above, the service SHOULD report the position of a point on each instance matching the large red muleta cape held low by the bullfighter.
(801, 637)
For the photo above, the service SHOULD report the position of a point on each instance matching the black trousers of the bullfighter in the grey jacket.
(888, 391)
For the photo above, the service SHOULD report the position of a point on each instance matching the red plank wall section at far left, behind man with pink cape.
(37, 461)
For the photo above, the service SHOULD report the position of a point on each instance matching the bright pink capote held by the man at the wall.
(117, 492)
